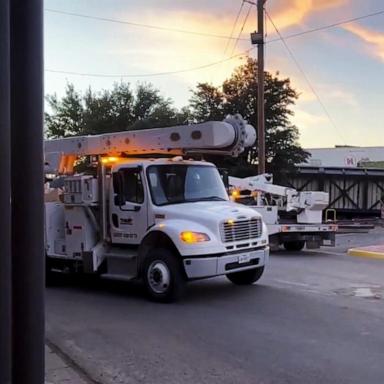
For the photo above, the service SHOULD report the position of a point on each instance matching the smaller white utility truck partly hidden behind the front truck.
(293, 218)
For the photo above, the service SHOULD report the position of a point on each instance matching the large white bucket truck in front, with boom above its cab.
(144, 212)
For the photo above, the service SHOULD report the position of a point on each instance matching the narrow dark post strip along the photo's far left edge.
(5, 197)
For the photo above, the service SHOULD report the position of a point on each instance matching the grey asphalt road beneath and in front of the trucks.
(314, 317)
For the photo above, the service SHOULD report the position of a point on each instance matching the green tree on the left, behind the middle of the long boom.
(113, 110)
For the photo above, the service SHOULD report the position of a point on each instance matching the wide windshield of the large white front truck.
(179, 183)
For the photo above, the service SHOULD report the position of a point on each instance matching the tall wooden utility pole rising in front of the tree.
(258, 38)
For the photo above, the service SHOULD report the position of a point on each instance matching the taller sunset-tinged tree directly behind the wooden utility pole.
(238, 94)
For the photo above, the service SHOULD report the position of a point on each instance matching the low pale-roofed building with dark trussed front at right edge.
(353, 177)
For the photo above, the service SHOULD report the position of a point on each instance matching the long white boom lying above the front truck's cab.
(229, 137)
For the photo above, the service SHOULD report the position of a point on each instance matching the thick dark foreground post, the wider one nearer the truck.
(27, 191)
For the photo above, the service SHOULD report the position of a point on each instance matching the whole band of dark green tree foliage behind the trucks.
(122, 108)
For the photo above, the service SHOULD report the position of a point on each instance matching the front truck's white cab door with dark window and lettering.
(128, 206)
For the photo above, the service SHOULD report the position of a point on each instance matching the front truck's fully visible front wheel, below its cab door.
(164, 276)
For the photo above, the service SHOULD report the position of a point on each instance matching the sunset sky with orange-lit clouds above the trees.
(341, 75)
